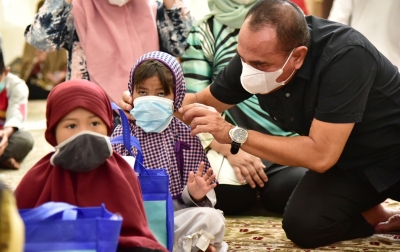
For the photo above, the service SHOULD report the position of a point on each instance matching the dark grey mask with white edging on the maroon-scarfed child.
(82, 152)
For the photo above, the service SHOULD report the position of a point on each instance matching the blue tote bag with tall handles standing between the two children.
(155, 189)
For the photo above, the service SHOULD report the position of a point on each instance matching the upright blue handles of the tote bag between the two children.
(128, 141)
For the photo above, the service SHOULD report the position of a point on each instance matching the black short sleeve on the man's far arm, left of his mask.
(227, 87)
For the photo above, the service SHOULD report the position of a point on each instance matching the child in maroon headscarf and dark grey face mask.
(84, 171)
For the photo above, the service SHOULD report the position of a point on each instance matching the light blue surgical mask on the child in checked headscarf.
(152, 113)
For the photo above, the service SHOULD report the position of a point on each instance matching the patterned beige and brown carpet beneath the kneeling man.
(260, 233)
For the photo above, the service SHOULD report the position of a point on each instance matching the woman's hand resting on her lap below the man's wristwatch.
(248, 168)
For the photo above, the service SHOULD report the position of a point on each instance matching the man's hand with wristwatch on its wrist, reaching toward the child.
(206, 119)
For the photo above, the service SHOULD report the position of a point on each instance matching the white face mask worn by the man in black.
(256, 81)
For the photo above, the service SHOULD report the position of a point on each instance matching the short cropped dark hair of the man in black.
(286, 17)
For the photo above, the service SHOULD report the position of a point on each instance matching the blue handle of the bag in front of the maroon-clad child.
(50, 209)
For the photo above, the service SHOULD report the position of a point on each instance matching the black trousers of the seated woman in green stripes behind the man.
(235, 200)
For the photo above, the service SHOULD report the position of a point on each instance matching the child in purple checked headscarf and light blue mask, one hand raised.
(158, 88)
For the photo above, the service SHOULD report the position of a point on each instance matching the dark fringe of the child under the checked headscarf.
(150, 68)
